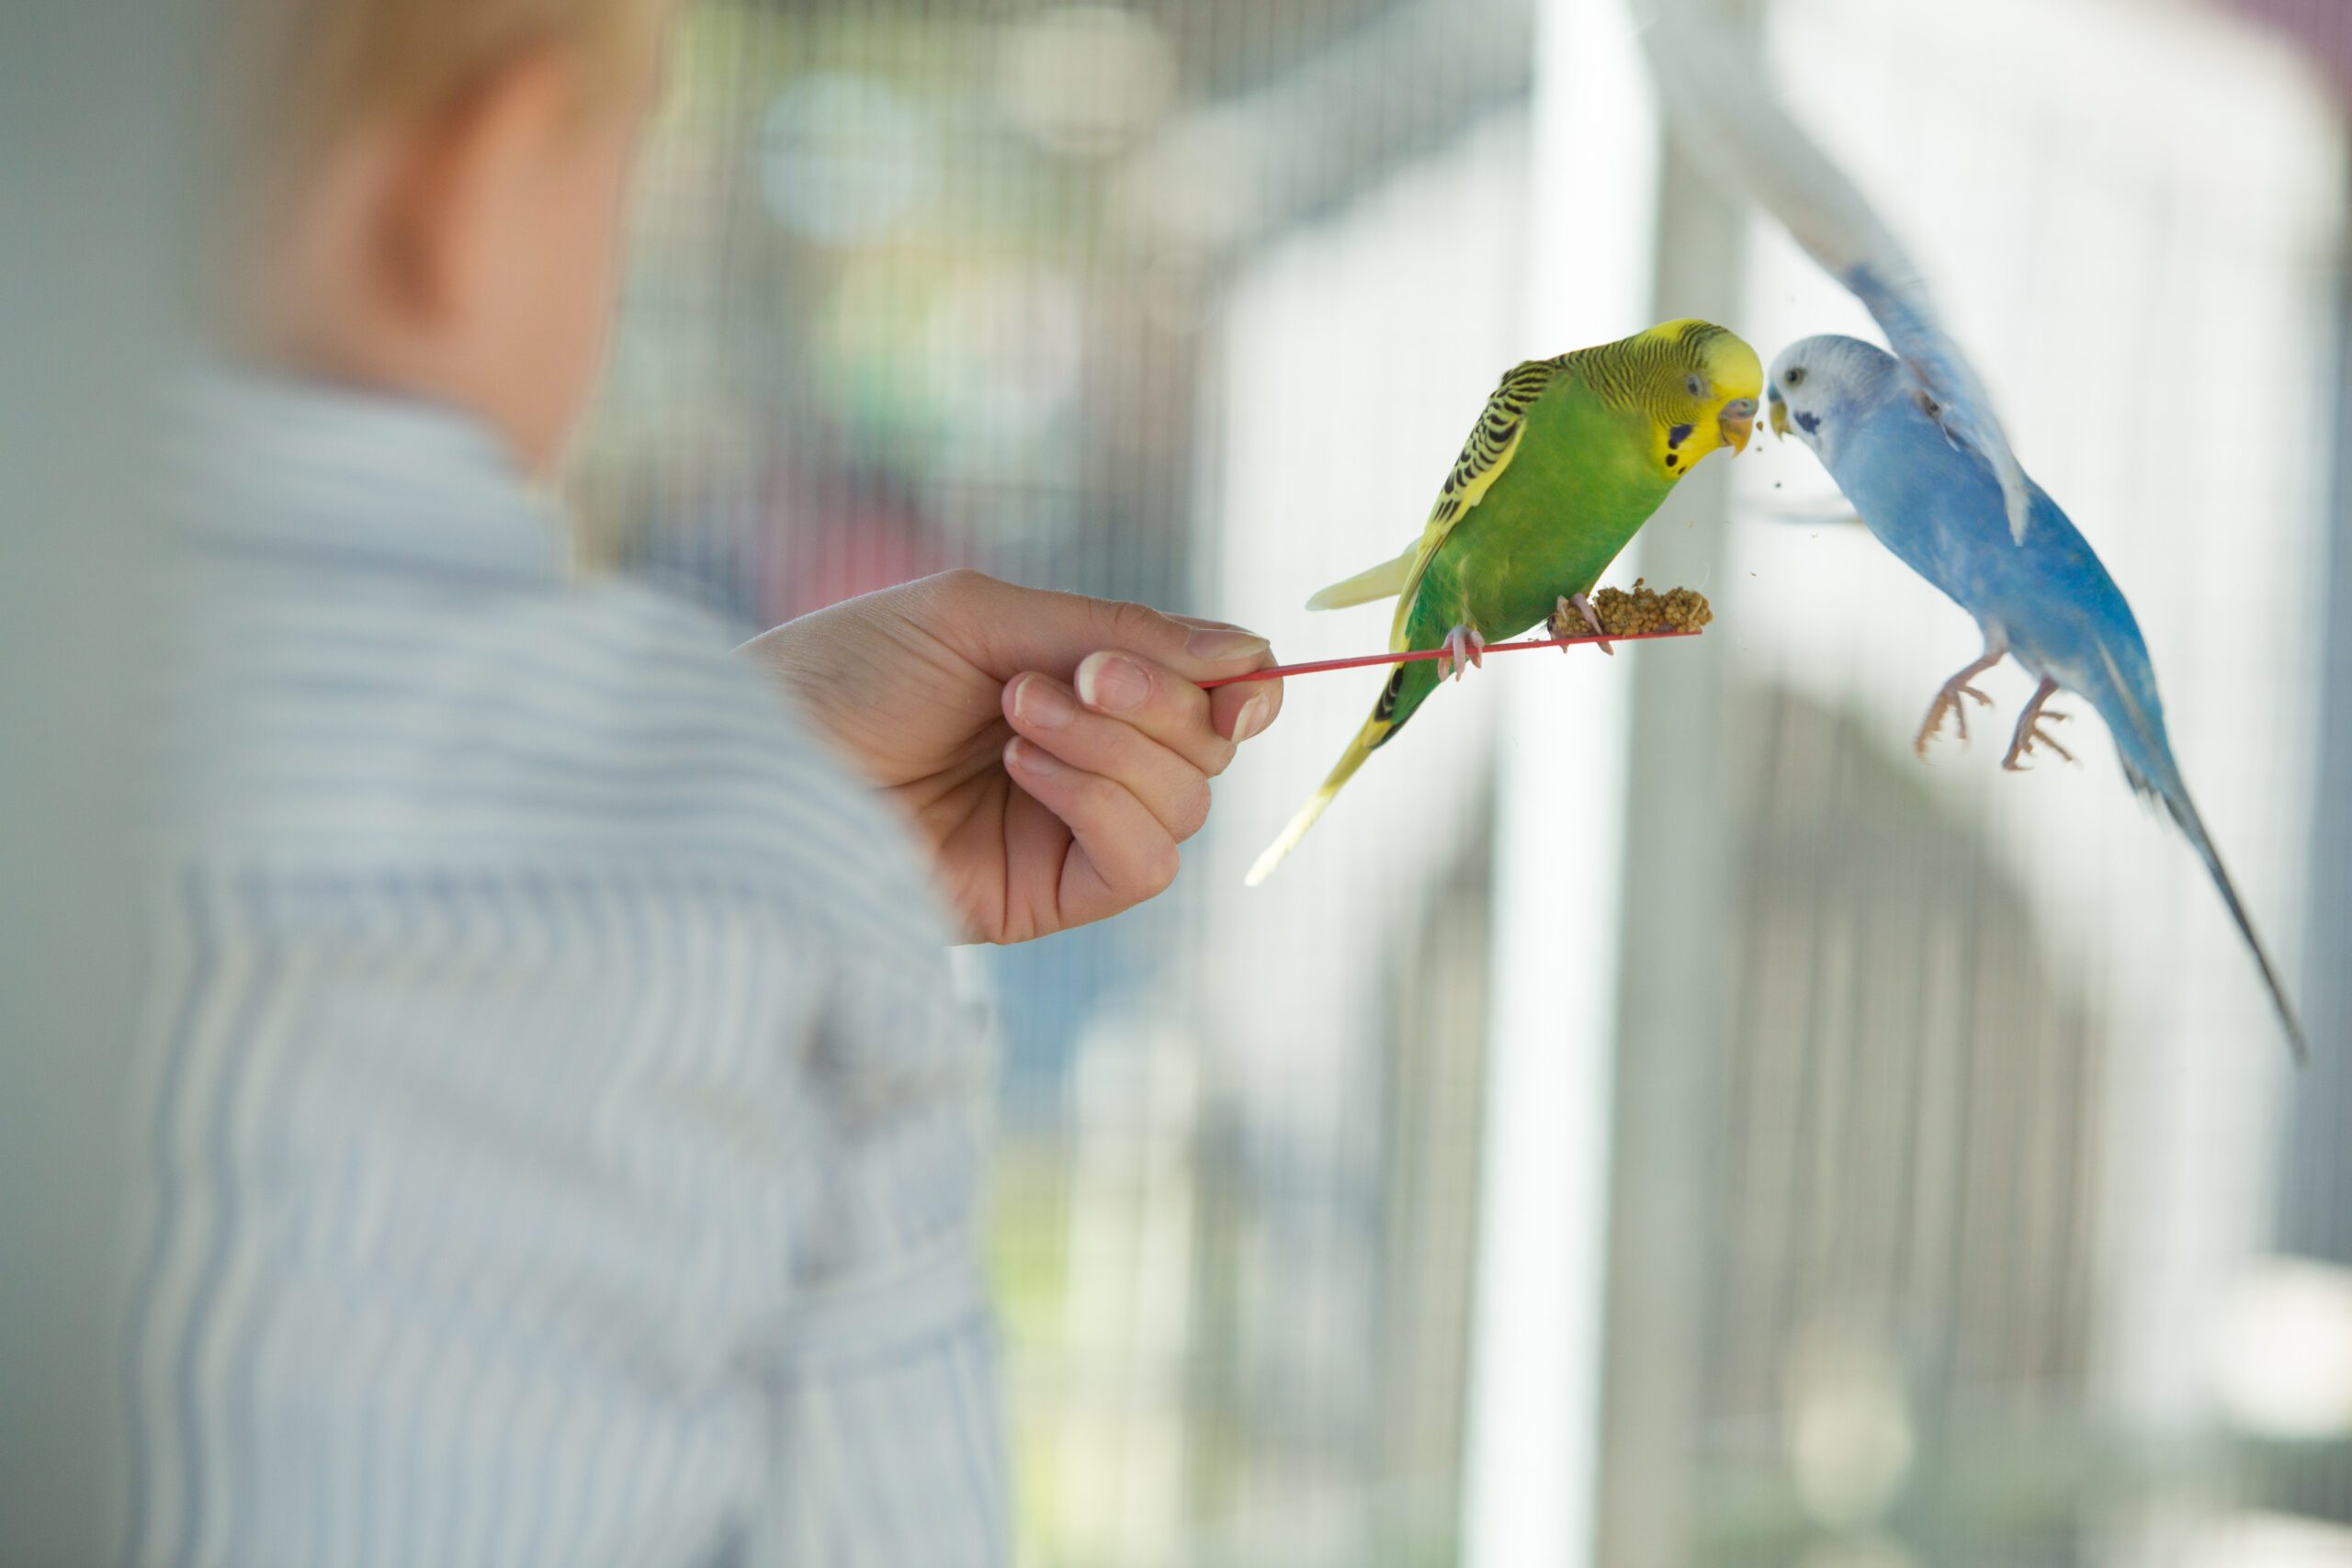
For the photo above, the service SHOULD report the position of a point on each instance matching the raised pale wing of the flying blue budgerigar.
(1737, 128)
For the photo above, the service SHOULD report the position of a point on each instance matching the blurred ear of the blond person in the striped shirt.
(465, 182)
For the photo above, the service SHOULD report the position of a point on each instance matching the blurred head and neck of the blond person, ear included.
(425, 196)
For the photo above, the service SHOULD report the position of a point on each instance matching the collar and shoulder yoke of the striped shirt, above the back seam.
(385, 669)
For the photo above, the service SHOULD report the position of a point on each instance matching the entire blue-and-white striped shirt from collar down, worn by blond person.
(561, 1137)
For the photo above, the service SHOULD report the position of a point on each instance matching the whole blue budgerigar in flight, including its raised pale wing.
(1916, 443)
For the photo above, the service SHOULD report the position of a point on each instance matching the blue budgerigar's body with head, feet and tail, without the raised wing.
(2047, 601)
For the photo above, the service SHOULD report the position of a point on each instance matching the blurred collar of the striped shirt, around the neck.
(312, 469)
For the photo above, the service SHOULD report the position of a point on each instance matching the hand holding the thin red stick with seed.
(1050, 749)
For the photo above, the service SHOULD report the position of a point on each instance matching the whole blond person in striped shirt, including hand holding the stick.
(561, 1134)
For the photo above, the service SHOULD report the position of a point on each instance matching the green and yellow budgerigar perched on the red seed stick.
(1565, 467)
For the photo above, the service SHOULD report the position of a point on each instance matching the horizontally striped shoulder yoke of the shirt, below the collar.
(601, 728)
